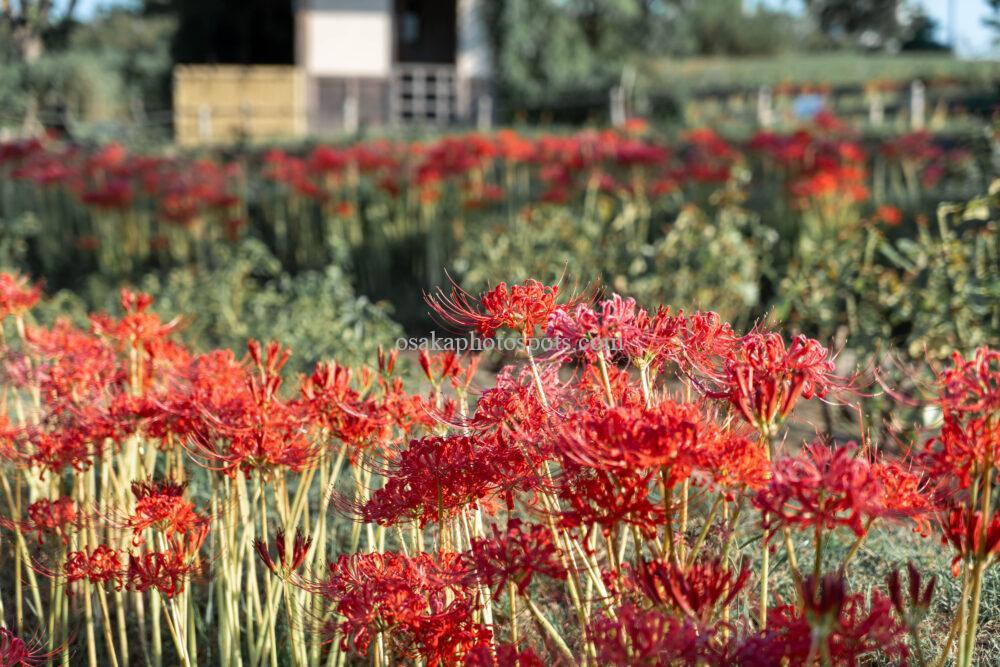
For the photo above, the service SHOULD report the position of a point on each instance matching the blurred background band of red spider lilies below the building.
(127, 209)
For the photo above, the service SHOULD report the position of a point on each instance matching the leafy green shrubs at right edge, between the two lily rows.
(922, 293)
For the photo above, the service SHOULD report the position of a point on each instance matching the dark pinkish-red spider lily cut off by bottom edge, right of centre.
(635, 636)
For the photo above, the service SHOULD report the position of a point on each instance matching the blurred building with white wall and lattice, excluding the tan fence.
(382, 62)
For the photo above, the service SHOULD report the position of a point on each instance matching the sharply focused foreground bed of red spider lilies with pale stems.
(168, 506)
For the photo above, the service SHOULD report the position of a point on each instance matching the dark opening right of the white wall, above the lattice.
(426, 31)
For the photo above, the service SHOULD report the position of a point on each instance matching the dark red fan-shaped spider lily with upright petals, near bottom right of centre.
(696, 591)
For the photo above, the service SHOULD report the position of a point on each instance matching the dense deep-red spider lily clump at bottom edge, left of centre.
(408, 599)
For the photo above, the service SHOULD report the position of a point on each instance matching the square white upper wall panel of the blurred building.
(344, 37)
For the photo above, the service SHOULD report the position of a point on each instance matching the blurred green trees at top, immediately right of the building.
(560, 53)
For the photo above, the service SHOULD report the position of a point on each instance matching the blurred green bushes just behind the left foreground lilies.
(316, 313)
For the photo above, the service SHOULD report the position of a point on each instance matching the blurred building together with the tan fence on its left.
(358, 63)
